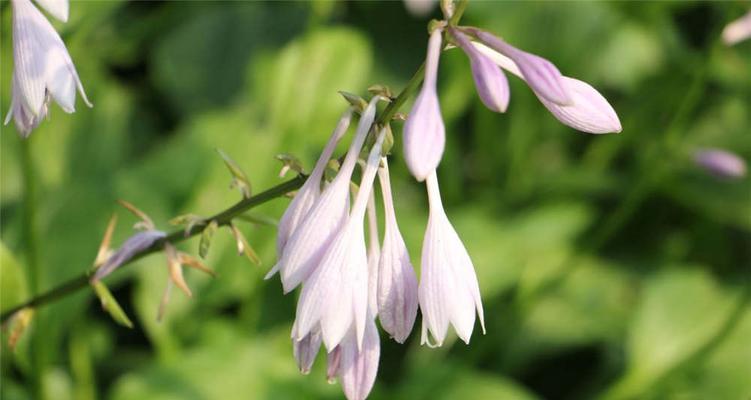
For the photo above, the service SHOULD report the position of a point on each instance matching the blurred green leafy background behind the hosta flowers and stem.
(610, 266)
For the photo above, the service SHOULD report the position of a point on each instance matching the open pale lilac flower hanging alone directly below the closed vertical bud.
(448, 290)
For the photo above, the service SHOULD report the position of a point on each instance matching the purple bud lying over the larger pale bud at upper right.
(541, 75)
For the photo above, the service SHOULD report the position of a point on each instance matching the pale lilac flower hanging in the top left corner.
(43, 68)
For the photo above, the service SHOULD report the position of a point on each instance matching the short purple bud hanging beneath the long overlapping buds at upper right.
(490, 81)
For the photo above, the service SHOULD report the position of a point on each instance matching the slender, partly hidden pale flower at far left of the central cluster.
(310, 191)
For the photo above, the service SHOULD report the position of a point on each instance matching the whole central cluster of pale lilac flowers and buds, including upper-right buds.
(347, 284)
